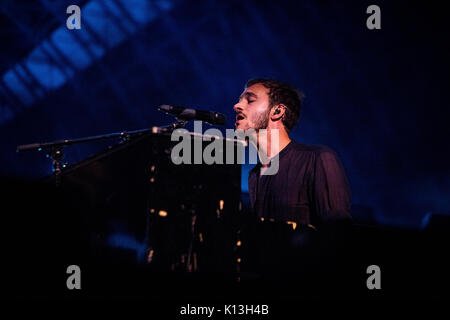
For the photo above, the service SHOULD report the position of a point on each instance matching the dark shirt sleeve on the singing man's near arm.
(330, 188)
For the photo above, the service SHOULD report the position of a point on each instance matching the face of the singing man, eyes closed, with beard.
(252, 110)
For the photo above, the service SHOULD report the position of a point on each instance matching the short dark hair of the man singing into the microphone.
(282, 93)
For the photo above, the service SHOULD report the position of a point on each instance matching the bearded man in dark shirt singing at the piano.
(310, 187)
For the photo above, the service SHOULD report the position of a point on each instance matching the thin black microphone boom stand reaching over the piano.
(55, 149)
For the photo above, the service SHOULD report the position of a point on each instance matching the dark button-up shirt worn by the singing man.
(310, 187)
